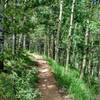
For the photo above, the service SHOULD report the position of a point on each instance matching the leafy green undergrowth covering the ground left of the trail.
(19, 82)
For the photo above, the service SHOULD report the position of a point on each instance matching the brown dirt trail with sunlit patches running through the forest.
(47, 83)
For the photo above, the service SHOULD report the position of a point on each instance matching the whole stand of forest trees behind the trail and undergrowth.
(67, 31)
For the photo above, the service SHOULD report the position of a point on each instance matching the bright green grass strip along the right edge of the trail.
(71, 82)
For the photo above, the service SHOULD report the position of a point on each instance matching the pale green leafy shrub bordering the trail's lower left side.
(26, 85)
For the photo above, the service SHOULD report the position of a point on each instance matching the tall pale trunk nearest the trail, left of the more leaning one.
(58, 32)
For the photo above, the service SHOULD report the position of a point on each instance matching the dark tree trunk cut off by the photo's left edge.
(1, 37)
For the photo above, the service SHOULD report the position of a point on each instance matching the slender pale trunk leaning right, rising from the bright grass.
(69, 34)
